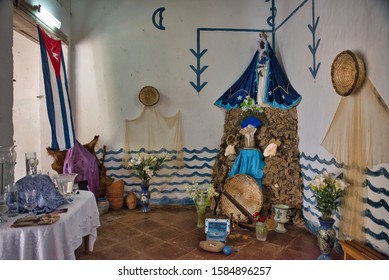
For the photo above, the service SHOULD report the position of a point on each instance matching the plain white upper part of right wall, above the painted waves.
(358, 25)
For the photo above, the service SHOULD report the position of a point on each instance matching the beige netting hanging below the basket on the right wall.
(358, 137)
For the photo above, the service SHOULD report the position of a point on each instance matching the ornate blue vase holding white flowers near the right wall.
(326, 237)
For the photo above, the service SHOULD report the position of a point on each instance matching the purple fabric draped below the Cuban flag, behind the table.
(79, 160)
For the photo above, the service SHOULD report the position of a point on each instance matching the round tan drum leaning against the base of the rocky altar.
(244, 189)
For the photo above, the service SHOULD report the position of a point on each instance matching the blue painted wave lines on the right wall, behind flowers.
(376, 204)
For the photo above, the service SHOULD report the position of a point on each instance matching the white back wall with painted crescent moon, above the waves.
(117, 51)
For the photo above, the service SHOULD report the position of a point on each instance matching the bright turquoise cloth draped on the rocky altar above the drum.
(250, 162)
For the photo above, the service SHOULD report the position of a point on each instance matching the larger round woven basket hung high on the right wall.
(347, 73)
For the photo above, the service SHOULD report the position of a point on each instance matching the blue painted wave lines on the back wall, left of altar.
(168, 185)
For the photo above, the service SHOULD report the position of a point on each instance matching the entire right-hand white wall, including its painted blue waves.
(362, 27)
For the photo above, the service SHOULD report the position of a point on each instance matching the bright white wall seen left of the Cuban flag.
(26, 112)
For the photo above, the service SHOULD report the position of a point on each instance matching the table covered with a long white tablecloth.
(57, 241)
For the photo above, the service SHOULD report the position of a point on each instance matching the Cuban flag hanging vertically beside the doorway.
(57, 93)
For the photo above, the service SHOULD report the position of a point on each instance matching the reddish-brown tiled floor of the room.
(170, 232)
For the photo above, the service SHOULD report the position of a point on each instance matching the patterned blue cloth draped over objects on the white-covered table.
(48, 197)
